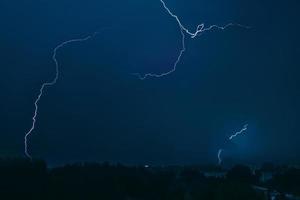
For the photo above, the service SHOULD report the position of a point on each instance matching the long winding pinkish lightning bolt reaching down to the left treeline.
(46, 85)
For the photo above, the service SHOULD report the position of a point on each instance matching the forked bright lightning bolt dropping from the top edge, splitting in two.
(200, 29)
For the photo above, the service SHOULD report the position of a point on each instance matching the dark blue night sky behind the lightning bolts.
(98, 111)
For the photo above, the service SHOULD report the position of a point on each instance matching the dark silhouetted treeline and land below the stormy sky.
(24, 179)
